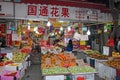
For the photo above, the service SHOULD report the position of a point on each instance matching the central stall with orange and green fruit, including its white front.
(65, 64)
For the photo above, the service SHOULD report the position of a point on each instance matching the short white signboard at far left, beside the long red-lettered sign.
(6, 10)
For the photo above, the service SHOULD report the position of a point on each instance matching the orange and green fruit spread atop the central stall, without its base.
(63, 64)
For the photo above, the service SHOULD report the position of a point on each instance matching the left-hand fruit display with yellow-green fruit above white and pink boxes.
(14, 65)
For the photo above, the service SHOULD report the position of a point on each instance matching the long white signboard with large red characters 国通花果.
(33, 11)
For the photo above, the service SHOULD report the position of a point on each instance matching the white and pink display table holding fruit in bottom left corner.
(20, 68)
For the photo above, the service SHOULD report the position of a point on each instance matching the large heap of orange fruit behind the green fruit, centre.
(62, 60)
